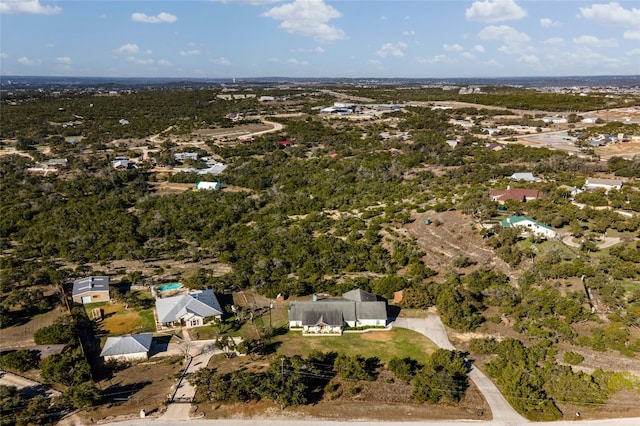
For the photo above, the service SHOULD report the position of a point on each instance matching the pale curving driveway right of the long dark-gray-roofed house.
(434, 330)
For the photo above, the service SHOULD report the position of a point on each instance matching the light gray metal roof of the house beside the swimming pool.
(202, 303)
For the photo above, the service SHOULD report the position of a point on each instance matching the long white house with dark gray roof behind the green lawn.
(356, 308)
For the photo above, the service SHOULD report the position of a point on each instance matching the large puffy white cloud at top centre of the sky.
(308, 18)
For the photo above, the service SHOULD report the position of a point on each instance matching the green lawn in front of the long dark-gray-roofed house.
(382, 344)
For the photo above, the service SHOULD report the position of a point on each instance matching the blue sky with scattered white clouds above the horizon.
(319, 38)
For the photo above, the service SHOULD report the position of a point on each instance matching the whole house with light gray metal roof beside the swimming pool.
(188, 310)
